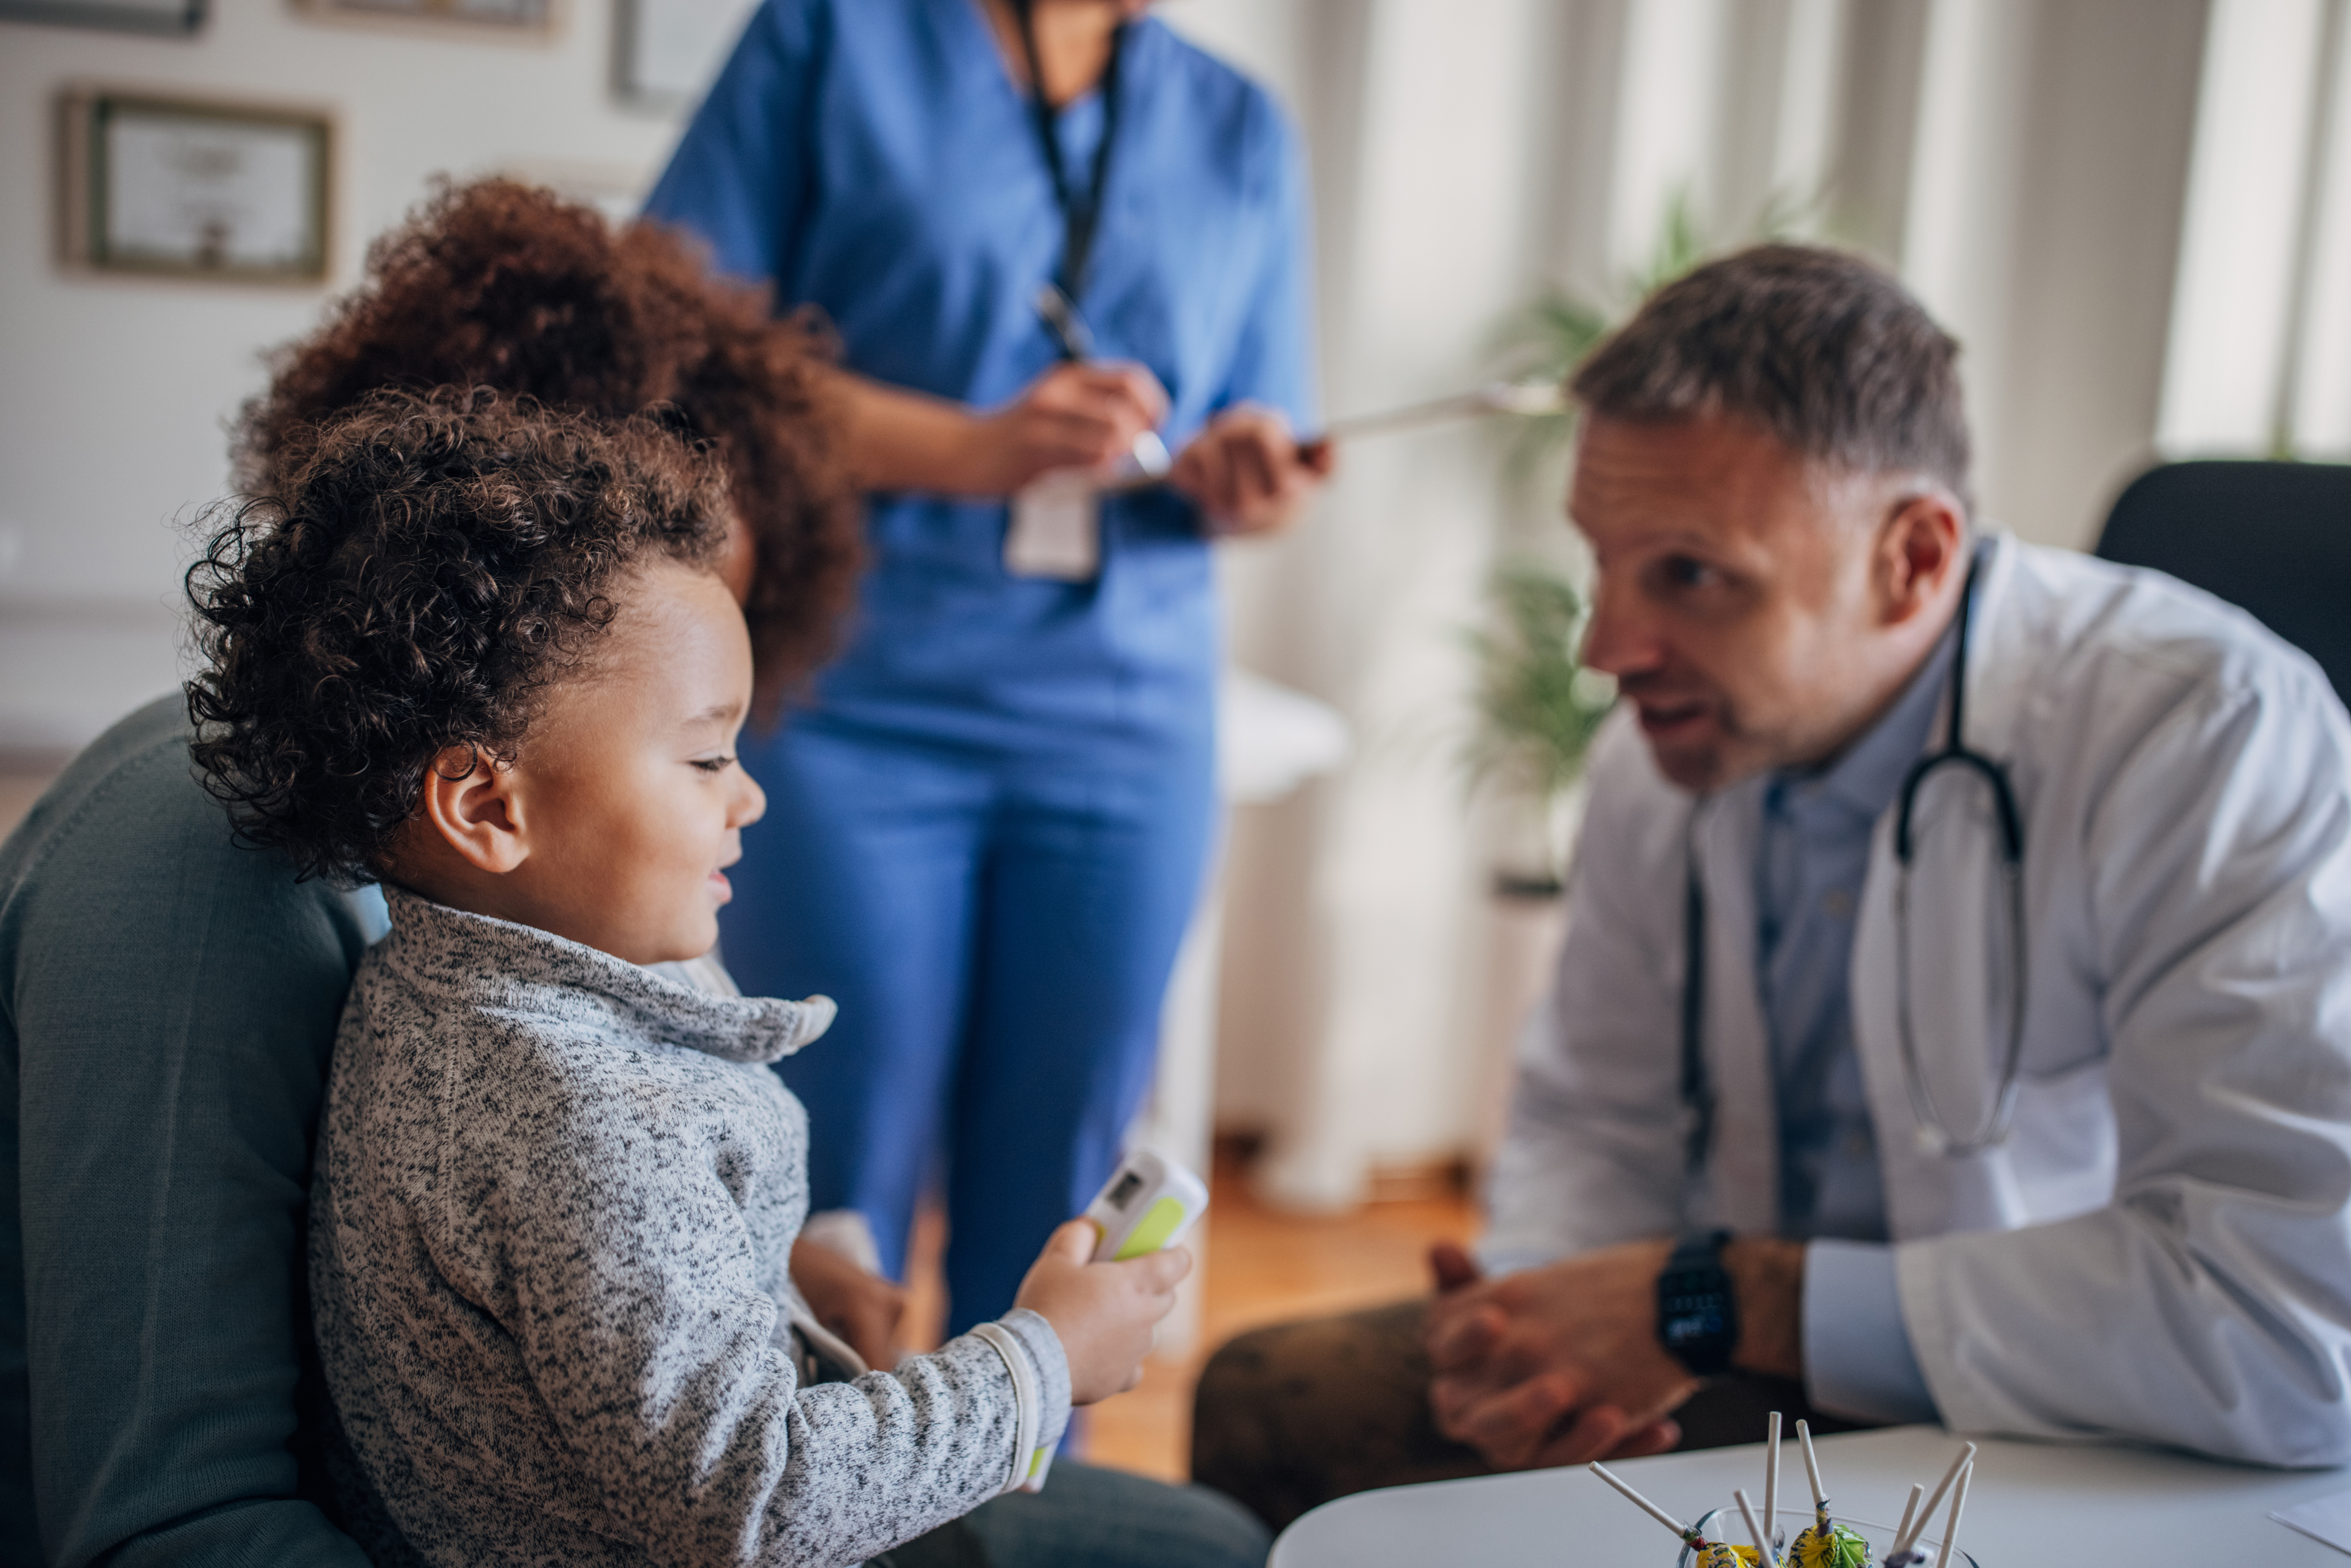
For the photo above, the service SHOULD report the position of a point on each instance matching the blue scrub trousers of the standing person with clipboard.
(998, 932)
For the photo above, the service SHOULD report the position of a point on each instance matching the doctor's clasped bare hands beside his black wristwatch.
(1558, 1365)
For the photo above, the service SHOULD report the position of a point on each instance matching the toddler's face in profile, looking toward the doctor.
(629, 800)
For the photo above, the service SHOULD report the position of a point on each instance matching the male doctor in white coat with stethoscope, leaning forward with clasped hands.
(2044, 1130)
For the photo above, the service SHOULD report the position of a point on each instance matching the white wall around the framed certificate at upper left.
(116, 389)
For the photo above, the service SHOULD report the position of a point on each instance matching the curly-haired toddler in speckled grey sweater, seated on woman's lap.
(481, 652)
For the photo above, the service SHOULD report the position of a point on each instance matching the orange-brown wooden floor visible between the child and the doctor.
(1259, 1268)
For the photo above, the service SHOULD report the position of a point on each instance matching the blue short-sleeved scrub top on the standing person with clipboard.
(876, 159)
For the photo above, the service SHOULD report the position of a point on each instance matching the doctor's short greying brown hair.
(1818, 347)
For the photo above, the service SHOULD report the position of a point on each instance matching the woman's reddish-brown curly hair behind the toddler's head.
(504, 286)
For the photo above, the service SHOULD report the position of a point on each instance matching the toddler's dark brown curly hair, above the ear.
(415, 584)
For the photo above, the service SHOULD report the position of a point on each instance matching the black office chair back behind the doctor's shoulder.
(2272, 540)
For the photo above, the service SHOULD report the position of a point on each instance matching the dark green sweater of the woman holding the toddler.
(168, 1005)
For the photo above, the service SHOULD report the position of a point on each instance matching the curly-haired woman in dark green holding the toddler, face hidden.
(168, 998)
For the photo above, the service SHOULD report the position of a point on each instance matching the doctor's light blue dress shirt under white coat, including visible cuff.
(1811, 862)
